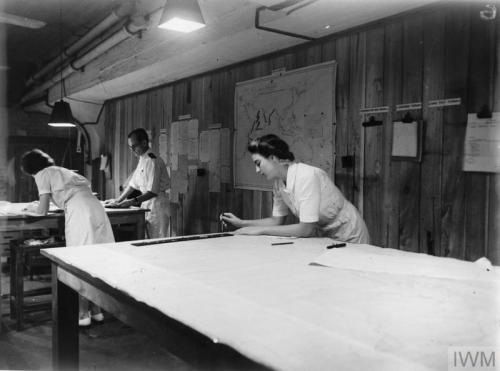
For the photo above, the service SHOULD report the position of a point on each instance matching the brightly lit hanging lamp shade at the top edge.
(182, 15)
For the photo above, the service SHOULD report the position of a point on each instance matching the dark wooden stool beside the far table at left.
(18, 306)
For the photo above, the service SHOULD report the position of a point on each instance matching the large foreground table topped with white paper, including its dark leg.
(239, 302)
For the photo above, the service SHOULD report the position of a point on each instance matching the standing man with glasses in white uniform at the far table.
(151, 179)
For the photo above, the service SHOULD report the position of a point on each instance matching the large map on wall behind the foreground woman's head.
(298, 106)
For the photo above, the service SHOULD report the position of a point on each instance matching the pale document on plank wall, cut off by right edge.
(482, 144)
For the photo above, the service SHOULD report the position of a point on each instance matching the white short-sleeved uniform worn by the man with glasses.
(151, 175)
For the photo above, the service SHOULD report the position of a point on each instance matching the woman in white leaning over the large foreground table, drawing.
(306, 191)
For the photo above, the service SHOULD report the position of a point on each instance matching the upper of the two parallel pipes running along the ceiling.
(117, 14)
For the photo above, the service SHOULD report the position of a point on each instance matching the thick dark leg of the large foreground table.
(65, 325)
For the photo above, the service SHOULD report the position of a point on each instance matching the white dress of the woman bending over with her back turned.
(86, 222)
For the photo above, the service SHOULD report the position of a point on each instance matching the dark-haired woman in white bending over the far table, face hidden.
(86, 222)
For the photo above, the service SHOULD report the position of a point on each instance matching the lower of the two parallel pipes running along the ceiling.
(132, 28)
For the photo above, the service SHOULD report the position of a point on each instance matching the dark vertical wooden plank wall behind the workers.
(429, 206)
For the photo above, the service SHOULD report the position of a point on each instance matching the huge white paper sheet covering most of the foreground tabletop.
(268, 303)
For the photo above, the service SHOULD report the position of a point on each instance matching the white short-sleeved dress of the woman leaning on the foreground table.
(311, 196)
